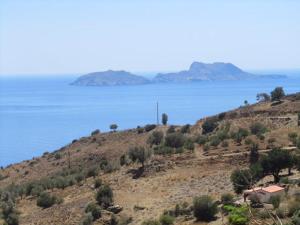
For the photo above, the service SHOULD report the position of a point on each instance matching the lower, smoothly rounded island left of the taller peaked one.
(110, 78)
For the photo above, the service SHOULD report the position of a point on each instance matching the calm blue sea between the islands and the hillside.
(39, 114)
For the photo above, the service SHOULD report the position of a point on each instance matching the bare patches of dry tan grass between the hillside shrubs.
(179, 179)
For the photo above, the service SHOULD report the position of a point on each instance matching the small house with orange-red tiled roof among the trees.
(264, 194)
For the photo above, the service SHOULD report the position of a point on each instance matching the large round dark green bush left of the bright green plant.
(204, 208)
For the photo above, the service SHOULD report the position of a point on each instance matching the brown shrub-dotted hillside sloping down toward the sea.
(191, 161)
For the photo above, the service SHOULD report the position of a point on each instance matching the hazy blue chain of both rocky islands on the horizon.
(198, 71)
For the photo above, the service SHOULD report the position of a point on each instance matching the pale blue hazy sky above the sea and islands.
(78, 36)
